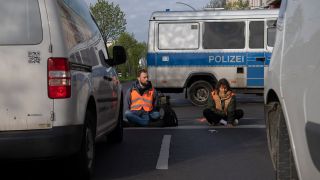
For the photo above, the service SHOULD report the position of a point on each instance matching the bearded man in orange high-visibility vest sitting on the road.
(141, 99)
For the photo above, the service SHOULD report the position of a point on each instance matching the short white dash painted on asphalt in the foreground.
(164, 153)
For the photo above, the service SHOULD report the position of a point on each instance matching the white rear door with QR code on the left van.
(24, 50)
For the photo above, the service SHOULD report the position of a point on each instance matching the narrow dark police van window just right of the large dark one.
(256, 36)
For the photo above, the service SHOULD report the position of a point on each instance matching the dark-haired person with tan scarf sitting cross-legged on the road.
(221, 108)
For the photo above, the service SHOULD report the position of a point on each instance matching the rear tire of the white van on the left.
(86, 157)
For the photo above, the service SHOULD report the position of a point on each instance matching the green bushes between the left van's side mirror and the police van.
(135, 51)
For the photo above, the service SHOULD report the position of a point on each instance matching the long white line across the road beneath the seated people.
(254, 126)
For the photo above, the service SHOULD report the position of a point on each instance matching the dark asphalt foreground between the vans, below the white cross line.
(194, 154)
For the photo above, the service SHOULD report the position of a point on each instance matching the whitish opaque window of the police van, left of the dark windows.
(178, 36)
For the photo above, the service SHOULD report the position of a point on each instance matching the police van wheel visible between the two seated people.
(199, 92)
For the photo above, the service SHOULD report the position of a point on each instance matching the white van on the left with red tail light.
(59, 91)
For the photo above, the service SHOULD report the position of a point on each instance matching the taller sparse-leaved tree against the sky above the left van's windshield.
(110, 19)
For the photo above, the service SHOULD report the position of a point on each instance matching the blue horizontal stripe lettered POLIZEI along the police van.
(205, 59)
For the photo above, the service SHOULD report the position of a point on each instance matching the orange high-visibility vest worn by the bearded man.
(145, 101)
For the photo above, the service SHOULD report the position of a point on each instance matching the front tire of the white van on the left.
(116, 136)
